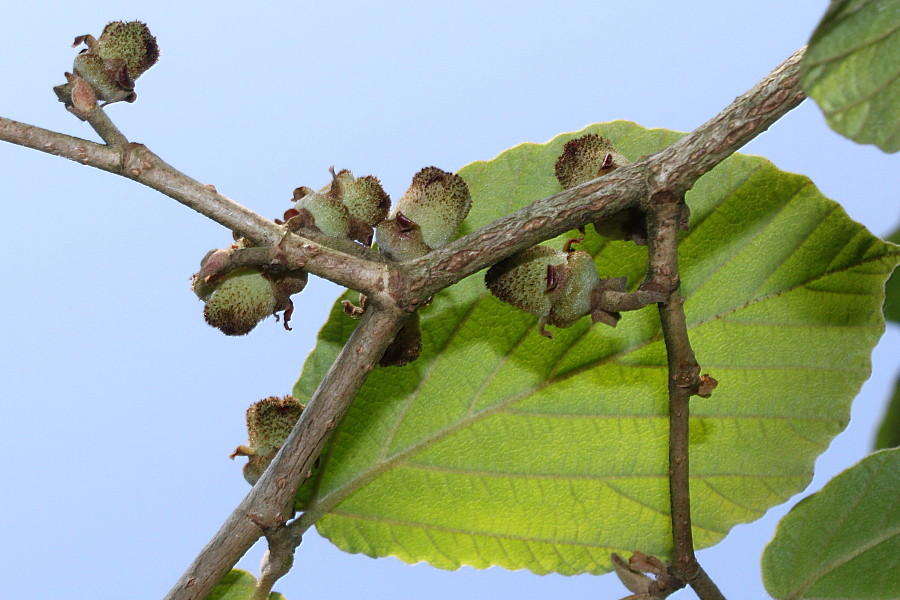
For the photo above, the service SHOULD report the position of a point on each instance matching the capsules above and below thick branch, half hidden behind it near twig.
(591, 156)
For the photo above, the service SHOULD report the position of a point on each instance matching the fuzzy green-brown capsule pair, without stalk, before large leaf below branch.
(556, 285)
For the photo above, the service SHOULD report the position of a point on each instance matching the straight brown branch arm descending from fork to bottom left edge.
(263, 510)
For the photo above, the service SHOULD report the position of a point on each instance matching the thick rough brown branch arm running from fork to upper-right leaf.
(675, 168)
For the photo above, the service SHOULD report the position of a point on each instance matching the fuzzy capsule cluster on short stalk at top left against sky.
(107, 69)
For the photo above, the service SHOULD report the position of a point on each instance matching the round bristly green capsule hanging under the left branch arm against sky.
(240, 301)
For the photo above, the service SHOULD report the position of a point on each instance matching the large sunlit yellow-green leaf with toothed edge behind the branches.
(501, 447)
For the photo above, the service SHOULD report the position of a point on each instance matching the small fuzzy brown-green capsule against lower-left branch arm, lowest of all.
(269, 422)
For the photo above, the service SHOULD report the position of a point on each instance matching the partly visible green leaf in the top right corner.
(852, 70)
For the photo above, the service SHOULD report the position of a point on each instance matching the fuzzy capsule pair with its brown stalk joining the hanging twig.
(562, 286)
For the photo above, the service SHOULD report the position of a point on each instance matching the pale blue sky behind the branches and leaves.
(120, 406)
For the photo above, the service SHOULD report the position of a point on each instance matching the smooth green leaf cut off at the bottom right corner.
(857, 555)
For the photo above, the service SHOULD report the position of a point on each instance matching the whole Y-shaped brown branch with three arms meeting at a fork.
(395, 289)
